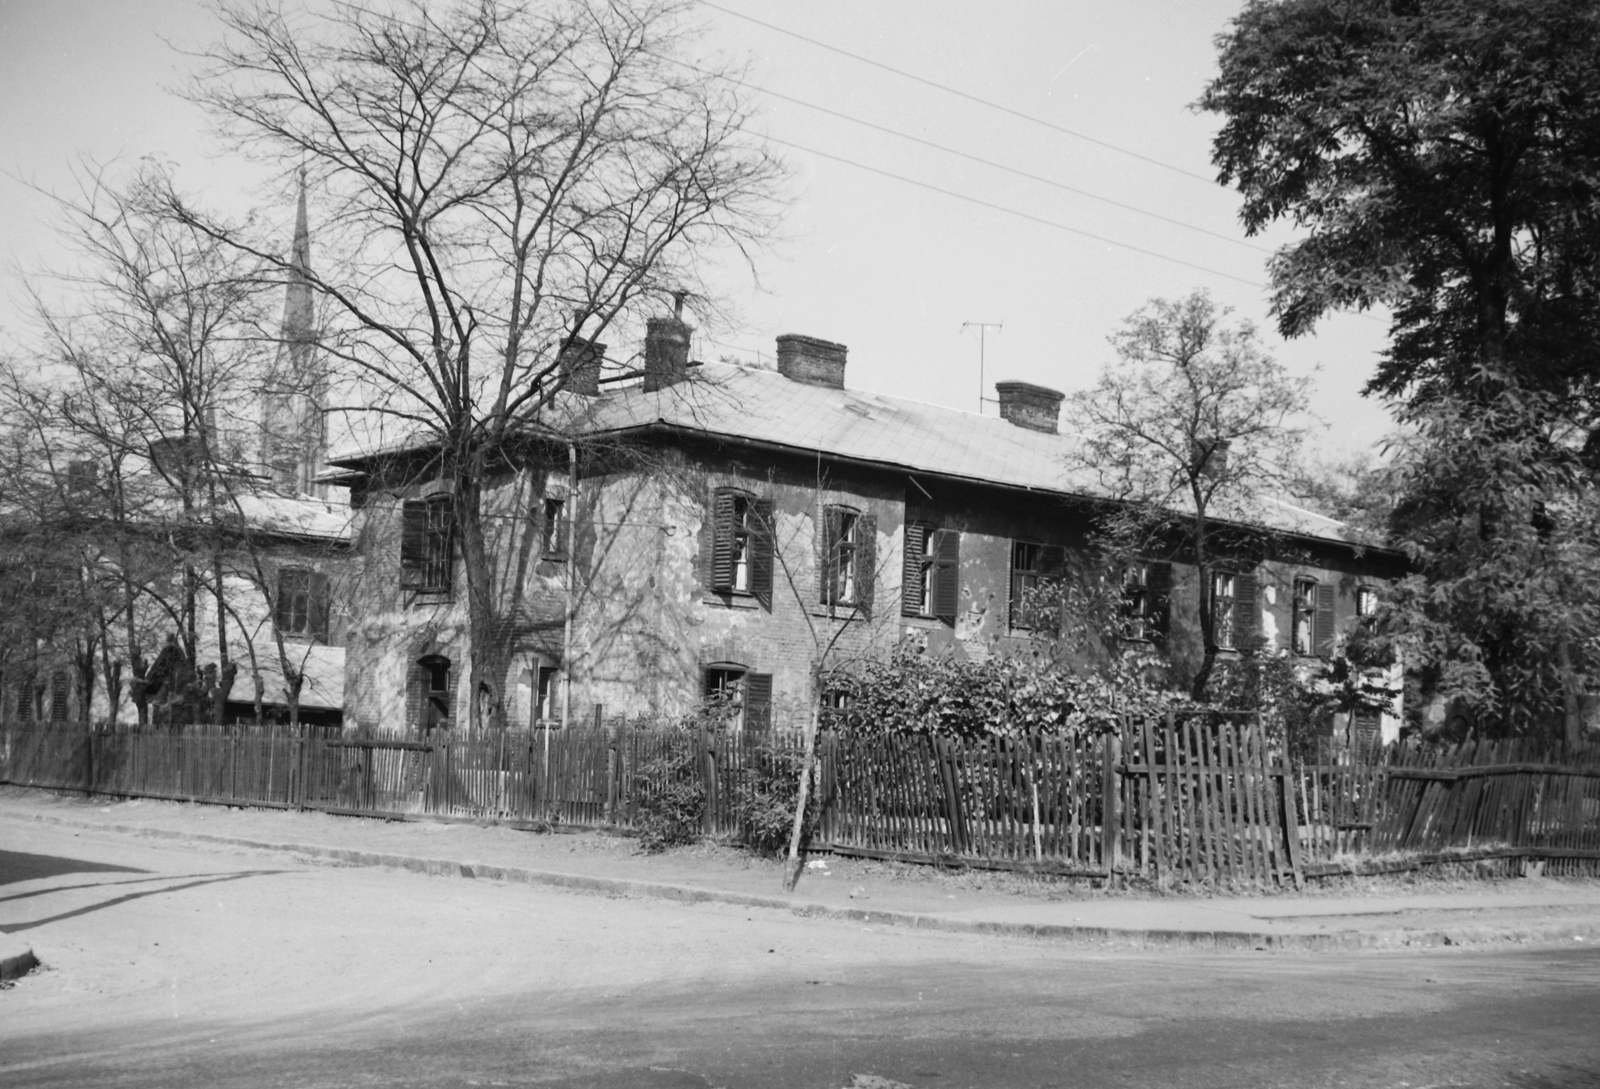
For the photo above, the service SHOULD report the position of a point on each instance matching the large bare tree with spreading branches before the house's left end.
(510, 180)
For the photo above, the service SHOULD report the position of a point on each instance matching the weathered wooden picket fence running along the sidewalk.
(1201, 799)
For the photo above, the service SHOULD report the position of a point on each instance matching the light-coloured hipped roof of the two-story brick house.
(756, 405)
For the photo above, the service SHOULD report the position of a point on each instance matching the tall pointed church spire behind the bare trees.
(294, 425)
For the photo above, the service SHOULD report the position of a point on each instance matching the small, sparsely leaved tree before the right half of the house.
(1188, 431)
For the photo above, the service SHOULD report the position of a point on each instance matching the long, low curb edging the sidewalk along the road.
(1342, 941)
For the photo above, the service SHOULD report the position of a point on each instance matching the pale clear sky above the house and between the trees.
(900, 269)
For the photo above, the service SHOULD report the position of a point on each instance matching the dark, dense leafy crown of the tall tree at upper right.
(1444, 158)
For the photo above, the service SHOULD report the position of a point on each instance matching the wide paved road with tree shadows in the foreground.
(170, 967)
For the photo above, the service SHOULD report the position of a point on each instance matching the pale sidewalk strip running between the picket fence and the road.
(1532, 911)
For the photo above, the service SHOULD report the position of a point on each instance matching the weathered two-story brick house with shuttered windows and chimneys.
(718, 525)
